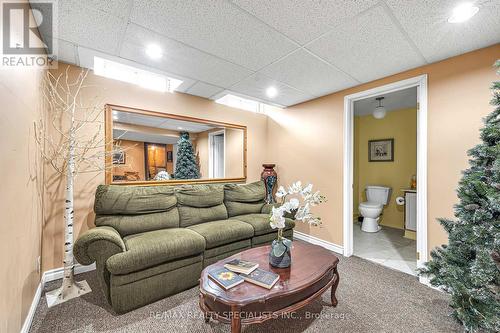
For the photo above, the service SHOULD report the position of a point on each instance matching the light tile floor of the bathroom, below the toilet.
(387, 247)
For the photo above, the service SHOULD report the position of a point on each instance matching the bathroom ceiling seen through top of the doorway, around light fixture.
(398, 100)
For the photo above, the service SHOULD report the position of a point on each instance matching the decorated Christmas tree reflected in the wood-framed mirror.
(186, 166)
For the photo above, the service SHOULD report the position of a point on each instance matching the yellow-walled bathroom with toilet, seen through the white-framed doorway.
(384, 179)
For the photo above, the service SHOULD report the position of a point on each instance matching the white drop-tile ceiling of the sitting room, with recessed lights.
(305, 49)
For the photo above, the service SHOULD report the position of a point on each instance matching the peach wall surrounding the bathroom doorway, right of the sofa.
(307, 139)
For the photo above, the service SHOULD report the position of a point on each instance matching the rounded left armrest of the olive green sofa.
(98, 244)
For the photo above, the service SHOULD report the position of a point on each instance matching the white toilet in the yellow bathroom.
(377, 197)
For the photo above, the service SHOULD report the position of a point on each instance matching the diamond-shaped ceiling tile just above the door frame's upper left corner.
(306, 72)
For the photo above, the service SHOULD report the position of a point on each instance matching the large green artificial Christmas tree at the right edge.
(468, 267)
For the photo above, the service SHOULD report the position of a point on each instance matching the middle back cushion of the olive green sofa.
(200, 203)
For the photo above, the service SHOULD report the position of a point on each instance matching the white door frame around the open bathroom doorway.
(421, 83)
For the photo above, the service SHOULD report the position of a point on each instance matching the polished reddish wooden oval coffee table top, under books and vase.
(309, 264)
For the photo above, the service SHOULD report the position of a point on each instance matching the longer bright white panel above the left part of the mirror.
(149, 80)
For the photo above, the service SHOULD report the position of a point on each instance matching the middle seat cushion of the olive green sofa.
(217, 233)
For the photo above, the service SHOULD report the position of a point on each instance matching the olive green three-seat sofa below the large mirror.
(153, 241)
